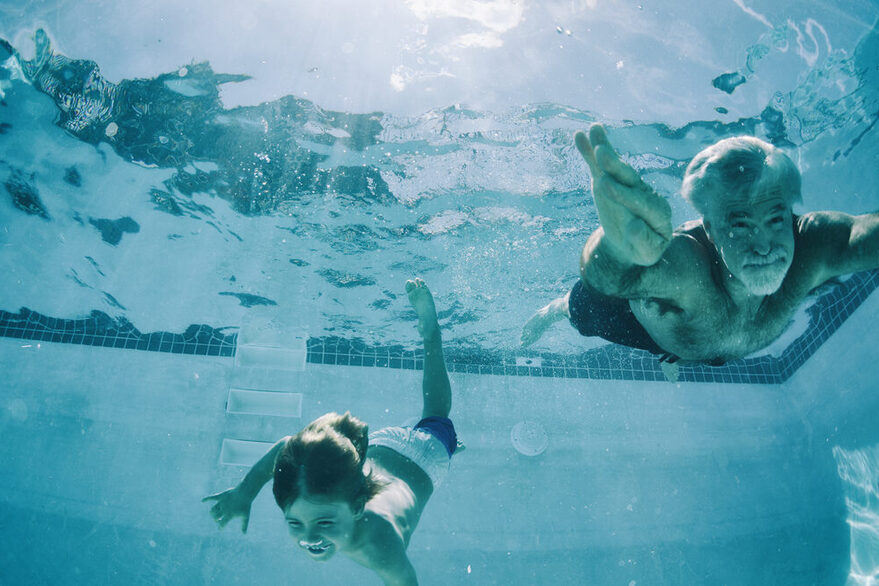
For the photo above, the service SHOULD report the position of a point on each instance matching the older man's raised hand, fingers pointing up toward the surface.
(635, 219)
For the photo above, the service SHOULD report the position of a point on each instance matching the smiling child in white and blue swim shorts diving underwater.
(361, 495)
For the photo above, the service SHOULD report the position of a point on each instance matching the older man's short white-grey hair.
(739, 166)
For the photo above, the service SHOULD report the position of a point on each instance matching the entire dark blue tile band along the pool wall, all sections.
(610, 362)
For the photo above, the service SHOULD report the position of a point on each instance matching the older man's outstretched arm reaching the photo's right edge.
(838, 244)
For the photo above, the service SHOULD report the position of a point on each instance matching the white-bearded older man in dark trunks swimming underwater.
(714, 289)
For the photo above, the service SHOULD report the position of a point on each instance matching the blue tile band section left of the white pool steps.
(99, 329)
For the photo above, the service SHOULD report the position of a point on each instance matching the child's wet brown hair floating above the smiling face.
(326, 459)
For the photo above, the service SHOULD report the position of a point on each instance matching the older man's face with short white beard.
(755, 239)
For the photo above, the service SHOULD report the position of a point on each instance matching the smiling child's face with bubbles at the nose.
(321, 526)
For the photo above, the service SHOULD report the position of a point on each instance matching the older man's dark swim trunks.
(611, 318)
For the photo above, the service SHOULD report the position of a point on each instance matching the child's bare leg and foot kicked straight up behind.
(435, 385)
